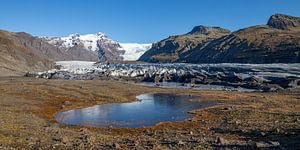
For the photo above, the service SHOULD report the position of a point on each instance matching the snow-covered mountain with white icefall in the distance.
(105, 48)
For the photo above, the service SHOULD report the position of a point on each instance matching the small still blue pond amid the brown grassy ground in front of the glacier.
(150, 110)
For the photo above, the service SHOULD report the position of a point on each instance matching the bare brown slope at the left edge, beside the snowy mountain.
(20, 52)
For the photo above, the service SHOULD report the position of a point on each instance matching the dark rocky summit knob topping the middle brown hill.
(207, 30)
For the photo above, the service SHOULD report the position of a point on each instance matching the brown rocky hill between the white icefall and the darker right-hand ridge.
(174, 47)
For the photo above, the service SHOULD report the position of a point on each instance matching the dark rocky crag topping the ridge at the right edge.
(283, 22)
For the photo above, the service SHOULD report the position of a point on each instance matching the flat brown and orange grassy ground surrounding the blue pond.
(28, 107)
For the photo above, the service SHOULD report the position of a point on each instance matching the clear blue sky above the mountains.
(142, 21)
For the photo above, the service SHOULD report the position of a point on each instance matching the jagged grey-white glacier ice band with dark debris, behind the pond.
(261, 77)
